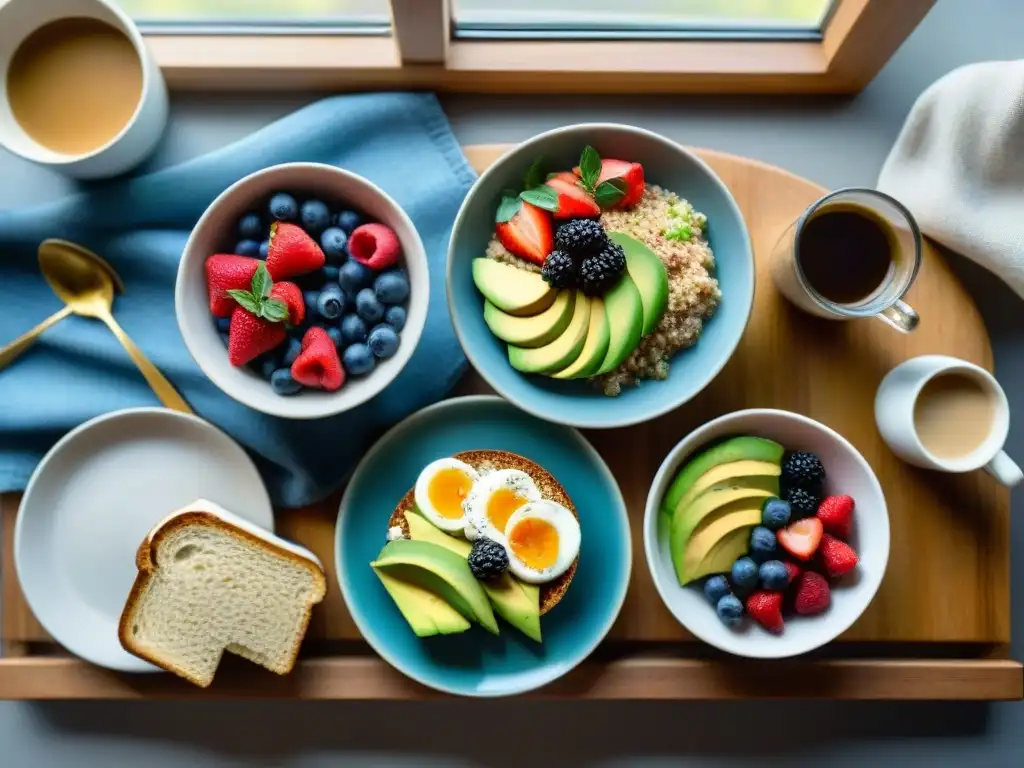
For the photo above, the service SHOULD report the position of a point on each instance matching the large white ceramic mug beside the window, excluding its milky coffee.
(19, 19)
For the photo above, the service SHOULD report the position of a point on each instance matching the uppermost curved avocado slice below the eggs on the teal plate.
(442, 572)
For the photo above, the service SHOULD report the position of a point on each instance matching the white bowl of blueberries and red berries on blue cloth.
(303, 291)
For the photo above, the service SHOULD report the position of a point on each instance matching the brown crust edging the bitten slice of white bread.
(146, 562)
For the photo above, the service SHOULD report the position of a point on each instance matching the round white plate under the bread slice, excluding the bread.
(94, 499)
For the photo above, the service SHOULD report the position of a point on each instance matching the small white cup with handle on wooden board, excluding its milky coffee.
(894, 409)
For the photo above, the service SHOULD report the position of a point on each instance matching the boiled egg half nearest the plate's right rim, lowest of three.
(543, 540)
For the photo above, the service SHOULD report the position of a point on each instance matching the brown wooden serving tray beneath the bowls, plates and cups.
(938, 629)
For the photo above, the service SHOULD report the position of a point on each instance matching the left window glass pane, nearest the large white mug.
(290, 13)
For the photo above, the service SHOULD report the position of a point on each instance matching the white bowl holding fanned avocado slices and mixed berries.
(766, 534)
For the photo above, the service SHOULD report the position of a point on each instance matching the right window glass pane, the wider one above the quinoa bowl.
(765, 17)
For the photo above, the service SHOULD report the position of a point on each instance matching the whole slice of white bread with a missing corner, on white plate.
(209, 582)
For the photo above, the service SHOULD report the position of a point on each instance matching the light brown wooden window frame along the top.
(860, 38)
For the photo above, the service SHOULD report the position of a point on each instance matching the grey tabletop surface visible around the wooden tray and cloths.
(834, 141)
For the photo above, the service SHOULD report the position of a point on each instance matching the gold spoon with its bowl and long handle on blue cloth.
(78, 279)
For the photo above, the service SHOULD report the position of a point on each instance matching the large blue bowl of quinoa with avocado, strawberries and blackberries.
(685, 216)
